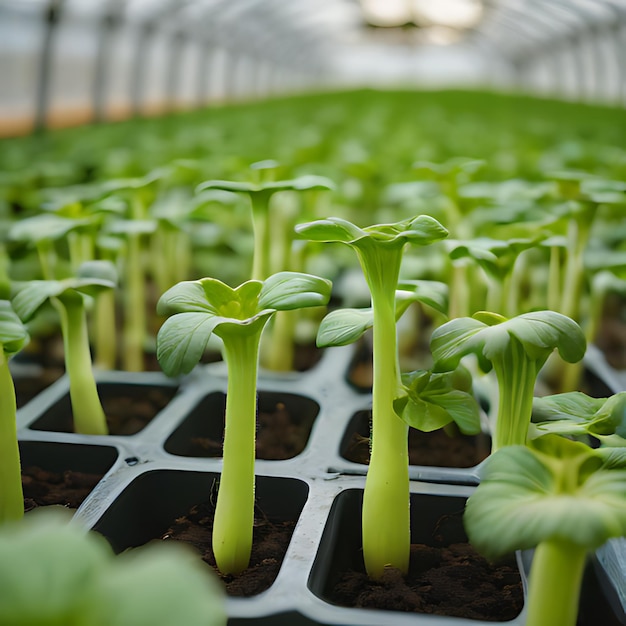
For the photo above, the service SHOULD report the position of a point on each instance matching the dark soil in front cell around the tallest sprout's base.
(447, 577)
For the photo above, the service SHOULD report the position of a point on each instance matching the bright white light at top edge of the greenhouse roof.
(451, 13)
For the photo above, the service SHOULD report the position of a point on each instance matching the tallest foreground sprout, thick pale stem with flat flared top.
(379, 248)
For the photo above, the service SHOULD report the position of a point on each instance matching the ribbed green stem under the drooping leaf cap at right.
(516, 374)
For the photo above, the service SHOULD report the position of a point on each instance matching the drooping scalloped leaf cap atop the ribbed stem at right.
(540, 332)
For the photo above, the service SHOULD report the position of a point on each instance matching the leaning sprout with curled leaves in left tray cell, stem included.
(68, 298)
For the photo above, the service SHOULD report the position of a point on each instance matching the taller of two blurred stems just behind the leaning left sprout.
(134, 307)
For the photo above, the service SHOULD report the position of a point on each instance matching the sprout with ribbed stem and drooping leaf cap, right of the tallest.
(516, 349)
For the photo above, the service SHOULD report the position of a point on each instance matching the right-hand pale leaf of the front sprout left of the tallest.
(285, 291)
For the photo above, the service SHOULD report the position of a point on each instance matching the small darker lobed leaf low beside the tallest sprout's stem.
(435, 399)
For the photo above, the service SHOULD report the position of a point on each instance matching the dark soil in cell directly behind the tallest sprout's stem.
(435, 449)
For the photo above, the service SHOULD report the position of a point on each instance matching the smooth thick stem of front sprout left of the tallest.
(234, 513)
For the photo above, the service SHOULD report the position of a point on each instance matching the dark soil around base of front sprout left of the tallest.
(270, 542)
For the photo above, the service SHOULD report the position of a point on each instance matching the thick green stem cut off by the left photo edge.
(11, 495)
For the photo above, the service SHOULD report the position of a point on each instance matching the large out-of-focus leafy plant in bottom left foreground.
(68, 575)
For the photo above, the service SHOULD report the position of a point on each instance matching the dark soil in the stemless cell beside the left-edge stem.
(44, 487)
